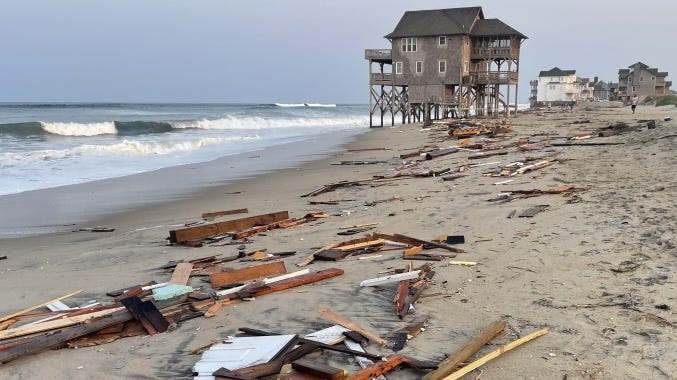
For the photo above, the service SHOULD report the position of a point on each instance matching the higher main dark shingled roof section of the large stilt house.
(437, 22)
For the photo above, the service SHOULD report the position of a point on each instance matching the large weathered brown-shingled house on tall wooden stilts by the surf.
(445, 62)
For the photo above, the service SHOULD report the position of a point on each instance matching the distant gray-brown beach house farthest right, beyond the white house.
(639, 79)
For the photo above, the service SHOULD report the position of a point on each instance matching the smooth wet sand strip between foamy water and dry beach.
(59, 209)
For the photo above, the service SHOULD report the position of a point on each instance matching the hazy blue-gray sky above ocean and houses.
(287, 50)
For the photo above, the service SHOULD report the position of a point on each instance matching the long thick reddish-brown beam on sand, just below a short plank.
(213, 229)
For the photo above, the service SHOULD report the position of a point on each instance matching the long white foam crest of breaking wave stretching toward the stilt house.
(230, 122)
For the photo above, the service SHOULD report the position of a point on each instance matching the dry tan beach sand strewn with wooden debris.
(595, 268)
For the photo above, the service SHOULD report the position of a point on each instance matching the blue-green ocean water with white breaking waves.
(49, 145)
